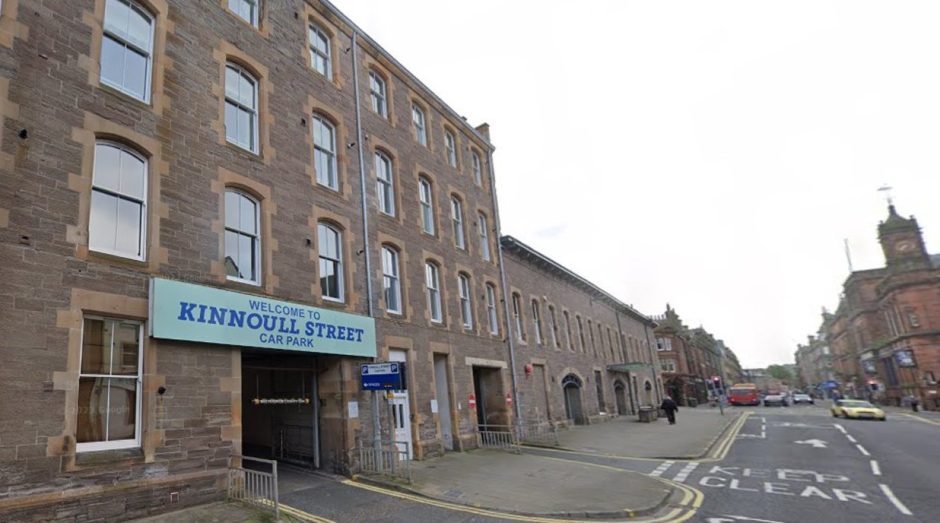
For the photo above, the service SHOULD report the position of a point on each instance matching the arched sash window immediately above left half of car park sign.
(242, 238)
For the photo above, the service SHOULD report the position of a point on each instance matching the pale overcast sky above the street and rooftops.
(710, 155)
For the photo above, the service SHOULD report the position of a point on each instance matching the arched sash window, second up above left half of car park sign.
(241, 108)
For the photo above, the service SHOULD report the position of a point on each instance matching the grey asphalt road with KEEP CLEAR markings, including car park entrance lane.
(786, 465)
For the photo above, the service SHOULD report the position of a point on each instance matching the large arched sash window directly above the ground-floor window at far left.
(118, 219)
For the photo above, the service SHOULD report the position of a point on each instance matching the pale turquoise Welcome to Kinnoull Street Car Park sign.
(188, 312)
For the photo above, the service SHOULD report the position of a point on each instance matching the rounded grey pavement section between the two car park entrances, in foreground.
(534, 485)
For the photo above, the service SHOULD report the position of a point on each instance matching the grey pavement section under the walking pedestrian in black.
(695, 432)
